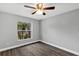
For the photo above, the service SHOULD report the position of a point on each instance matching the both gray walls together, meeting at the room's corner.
(61, 30)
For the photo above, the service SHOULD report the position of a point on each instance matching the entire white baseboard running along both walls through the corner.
(71, 51)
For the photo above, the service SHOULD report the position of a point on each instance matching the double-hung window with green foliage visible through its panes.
(23, 30)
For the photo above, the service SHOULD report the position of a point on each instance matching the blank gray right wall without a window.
(62, 30)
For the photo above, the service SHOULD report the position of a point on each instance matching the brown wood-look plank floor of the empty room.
(36, 49)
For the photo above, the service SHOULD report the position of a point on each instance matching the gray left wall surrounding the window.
(8, 30)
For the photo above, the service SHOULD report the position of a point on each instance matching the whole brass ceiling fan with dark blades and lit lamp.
(40, 9)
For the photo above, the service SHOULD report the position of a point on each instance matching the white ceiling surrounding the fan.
(19, 9)
